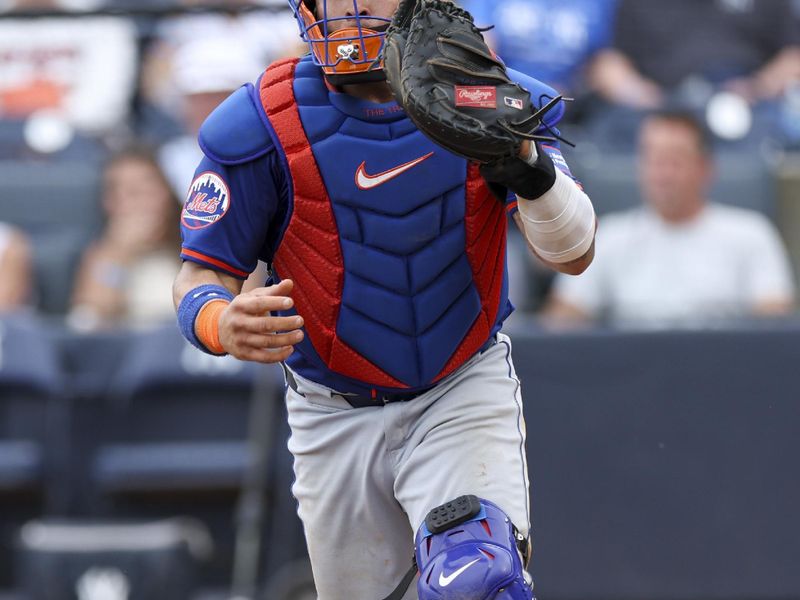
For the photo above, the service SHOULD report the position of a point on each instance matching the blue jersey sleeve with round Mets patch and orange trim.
(233, 214)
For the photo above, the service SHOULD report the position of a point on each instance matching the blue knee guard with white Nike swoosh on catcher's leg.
(468, 549)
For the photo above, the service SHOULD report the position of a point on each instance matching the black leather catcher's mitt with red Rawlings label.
(453, 88)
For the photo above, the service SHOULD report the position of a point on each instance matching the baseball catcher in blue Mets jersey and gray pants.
(376, 175)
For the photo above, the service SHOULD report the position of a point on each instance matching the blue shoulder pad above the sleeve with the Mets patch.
(236, 132)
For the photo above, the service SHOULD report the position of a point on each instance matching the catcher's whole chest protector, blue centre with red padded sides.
(397, 247)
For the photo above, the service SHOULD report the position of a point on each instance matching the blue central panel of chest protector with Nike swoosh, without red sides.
(408, 296)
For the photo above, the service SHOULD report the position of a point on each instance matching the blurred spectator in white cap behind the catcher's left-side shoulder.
(205, 72)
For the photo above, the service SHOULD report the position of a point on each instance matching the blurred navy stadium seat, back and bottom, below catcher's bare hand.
(178, 418)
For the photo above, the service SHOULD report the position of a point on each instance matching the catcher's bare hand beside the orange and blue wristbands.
(248, 331)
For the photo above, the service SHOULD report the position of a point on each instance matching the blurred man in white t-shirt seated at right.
(679, 260)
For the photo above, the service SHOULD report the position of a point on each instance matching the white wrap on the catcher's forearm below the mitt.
(560, 224)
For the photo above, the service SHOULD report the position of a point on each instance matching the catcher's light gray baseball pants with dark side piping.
(365, 478)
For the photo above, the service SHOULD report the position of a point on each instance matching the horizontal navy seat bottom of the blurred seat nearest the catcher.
(171, 466)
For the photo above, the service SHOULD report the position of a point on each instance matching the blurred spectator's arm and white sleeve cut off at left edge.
(16, 267)
